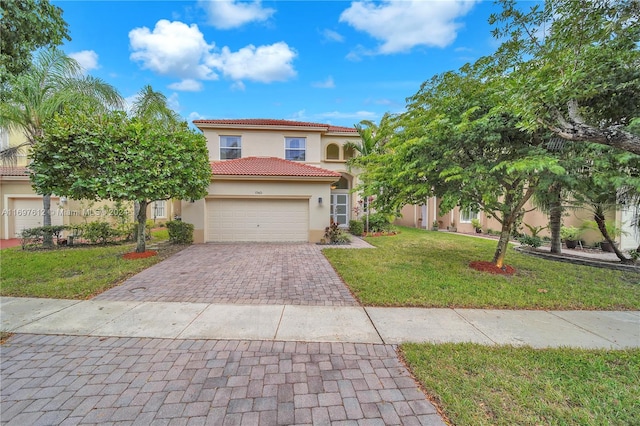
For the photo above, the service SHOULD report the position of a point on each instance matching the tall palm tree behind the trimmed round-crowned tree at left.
(53, 82)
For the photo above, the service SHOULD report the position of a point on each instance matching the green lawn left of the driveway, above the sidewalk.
(71, 273)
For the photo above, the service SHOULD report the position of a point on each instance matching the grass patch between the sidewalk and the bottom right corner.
(480, 385)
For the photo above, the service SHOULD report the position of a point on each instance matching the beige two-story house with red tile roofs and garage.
(273, 180)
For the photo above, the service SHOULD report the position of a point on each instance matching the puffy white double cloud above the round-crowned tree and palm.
(179, 50)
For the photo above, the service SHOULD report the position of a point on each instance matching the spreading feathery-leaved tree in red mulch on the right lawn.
(456, 143)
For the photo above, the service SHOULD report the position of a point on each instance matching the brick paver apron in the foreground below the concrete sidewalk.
(90, 380)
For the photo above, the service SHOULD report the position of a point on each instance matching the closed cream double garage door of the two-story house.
(257, 220)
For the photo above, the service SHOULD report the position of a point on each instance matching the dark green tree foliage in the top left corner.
(26, 26)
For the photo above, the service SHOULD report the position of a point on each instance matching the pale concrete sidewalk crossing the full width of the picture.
(174, 320)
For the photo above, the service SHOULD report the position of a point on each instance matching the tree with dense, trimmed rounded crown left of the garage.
(120, 158)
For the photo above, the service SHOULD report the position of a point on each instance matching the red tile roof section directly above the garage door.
(268, 166)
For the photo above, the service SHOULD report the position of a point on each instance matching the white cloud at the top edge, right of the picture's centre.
(401, 25)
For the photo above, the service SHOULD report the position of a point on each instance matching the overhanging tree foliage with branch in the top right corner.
(574, 68)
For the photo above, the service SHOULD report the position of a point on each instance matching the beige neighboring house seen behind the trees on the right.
(423, 216)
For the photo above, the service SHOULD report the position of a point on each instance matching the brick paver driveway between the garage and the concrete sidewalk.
(276, 274)
